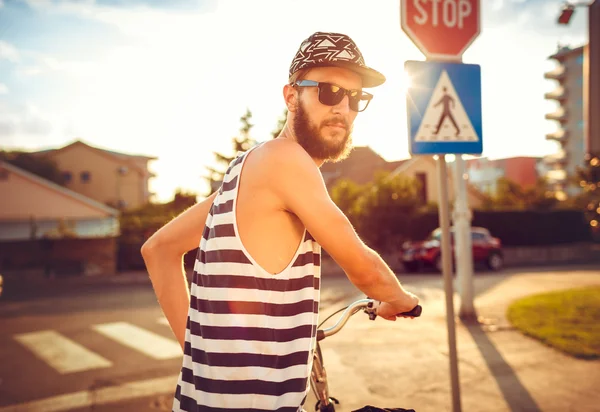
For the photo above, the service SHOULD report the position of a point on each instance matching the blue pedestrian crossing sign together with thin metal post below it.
(444, 117)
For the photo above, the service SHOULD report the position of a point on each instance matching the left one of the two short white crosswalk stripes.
(60, 352)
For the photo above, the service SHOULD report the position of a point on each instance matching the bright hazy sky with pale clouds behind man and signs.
(171, 79)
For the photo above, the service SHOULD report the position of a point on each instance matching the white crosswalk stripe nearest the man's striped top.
(149, 343)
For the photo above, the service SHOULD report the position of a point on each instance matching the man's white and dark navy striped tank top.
(250, 334)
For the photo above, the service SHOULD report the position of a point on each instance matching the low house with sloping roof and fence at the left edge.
(47, 227)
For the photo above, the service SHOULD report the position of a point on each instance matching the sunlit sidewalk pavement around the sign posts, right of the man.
(500, 369)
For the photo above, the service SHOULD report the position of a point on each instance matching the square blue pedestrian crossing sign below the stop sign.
(444, 108)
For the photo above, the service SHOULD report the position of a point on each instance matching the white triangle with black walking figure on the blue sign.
(445, 119)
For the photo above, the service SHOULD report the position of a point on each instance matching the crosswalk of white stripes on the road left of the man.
(66, 356)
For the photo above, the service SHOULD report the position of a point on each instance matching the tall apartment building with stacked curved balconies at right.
(569, 118)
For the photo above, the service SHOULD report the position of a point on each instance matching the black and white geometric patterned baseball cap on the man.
(334, 49)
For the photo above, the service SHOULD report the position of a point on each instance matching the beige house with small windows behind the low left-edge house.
(116, 179)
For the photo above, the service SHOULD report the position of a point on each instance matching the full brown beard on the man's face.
(310, 138)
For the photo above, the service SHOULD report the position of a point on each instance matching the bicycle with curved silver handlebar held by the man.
(318, 378)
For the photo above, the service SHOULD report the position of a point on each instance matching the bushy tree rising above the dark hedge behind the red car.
(512, 196)
